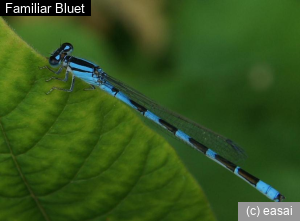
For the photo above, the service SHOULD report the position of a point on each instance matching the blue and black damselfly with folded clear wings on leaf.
(214, 146)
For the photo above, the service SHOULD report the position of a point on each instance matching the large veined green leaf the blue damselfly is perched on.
(82, 155)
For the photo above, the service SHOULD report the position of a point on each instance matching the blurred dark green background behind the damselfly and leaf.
(232, 66)
